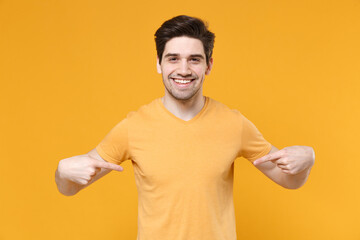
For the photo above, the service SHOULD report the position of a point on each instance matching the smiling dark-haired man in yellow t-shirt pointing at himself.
(183, 147)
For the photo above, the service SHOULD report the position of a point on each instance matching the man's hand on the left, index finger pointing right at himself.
(82, 169)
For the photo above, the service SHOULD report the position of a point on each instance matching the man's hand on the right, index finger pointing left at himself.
(291, 160)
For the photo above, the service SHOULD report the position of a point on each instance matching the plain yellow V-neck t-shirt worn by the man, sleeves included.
(184, 169)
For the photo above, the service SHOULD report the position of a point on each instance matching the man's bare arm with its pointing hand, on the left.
(78, 172)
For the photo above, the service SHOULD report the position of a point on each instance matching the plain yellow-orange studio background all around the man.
(71, 70)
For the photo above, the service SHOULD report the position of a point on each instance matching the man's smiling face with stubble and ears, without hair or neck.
(183, 67)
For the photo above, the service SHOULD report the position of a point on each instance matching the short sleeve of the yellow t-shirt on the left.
(114, 147)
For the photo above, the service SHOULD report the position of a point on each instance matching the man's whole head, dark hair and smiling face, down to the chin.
(184, 47)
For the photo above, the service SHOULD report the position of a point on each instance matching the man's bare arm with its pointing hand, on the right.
(289, 167)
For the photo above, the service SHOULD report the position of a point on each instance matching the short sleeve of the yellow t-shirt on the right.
(253, 144)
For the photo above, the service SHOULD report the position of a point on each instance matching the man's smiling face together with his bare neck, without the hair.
(183, 67)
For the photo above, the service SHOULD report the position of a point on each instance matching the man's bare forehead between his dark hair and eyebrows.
(184, 46)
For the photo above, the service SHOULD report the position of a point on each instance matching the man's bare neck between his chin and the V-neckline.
(184, 109)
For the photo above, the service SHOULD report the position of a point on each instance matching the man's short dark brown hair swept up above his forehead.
(184, 26)
